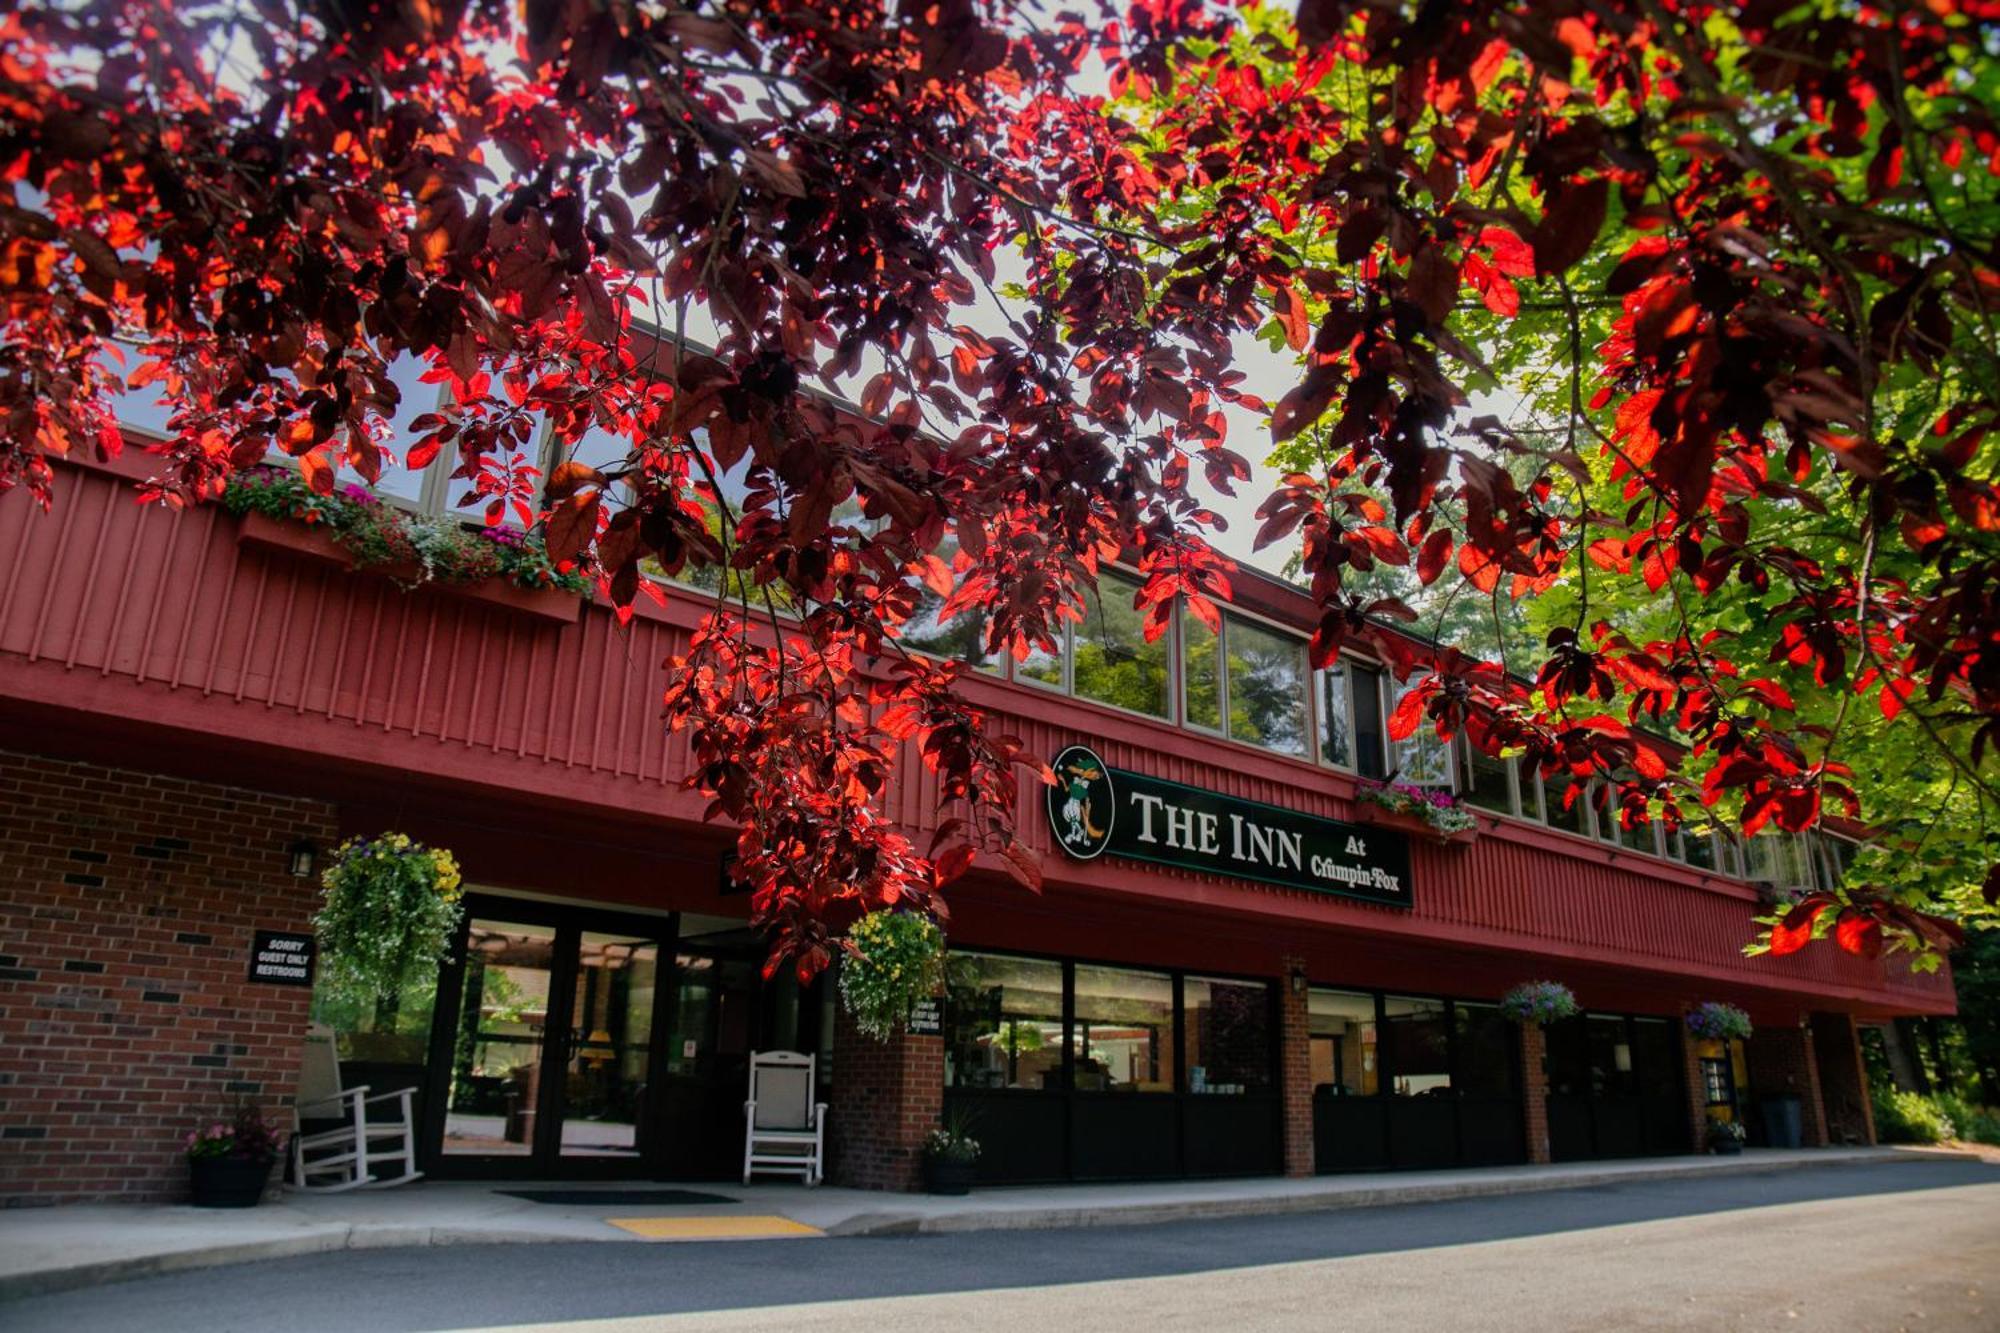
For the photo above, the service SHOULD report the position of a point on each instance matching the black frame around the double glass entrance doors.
(545, 1158)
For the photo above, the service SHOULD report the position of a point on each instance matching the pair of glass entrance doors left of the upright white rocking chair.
(545, 1066)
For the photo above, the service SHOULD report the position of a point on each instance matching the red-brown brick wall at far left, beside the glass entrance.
(127, 910)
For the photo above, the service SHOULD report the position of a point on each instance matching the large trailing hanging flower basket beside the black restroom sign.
(391, 912)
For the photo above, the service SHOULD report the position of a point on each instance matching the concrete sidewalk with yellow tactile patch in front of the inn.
(79, 1246)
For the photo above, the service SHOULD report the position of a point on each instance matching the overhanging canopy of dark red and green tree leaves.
(1679, 315)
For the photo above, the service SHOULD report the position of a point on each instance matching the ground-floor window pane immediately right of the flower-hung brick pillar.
(1003, 1022)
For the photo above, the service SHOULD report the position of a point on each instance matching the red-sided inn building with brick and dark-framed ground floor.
(187, 698)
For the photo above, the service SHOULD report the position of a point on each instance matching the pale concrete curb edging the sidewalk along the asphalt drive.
(891, 1224)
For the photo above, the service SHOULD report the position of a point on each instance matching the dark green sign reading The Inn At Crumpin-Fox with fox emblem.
(1095, 812)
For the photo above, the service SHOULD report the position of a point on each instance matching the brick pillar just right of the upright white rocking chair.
(887, 1098)
